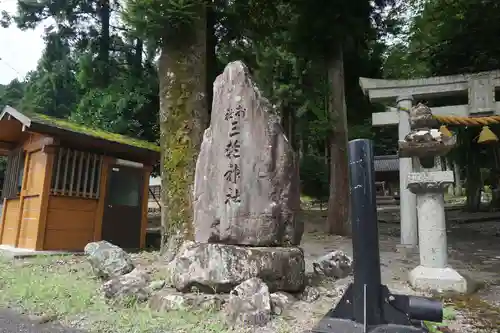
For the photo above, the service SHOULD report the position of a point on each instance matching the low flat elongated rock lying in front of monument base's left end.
(171, 299)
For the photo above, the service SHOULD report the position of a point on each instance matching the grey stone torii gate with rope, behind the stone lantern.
(480, 89)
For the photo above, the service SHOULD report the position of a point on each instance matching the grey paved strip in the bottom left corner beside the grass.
(12, 322)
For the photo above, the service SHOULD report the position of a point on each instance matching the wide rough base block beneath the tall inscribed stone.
(219, 267)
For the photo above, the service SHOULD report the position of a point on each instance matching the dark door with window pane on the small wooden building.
(121, 223)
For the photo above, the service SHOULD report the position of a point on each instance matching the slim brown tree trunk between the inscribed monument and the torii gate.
(338, 204)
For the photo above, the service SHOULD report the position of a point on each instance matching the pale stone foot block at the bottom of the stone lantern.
(438, 279)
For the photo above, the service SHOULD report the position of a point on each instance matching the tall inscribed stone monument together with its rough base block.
(246, 195)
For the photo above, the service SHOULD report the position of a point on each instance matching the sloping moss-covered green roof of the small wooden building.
(96, 133)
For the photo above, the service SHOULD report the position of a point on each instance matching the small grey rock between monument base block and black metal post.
(335, 264)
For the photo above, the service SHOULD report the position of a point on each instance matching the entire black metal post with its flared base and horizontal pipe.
(367, 306)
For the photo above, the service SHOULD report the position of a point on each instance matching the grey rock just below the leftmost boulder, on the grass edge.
(132, 285)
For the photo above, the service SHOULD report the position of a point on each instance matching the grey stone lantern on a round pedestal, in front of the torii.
(428, 182)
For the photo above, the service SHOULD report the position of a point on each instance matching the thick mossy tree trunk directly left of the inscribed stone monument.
(183, 119)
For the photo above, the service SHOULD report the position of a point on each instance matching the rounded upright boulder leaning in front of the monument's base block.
(249, 304)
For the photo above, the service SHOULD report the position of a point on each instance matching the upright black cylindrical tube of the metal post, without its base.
(367, 280)
